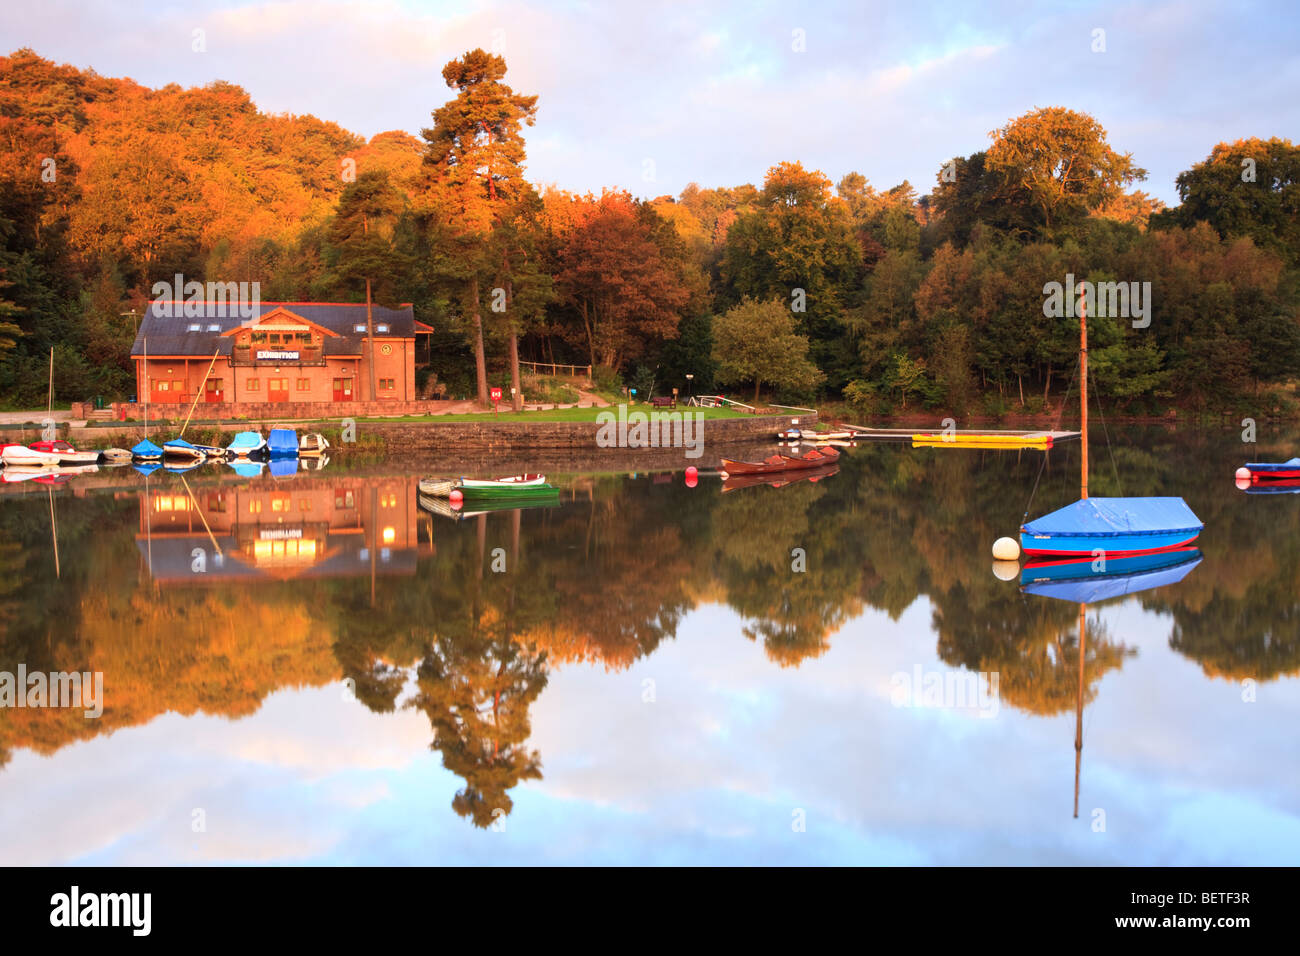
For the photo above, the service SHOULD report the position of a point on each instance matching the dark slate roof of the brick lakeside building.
(171, 335)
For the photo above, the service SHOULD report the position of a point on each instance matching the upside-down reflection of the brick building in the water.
(281, 530)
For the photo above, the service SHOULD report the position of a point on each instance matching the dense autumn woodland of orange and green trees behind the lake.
(800, 288)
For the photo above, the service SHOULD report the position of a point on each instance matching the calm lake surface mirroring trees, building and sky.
(317, 669)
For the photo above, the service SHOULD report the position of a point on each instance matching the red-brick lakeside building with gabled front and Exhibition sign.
(297, 353)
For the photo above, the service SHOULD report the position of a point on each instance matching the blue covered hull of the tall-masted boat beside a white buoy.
(1113, 526)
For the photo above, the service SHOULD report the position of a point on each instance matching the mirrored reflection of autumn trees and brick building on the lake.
(205, 595)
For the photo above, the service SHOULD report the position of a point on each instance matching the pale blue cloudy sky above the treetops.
(651, 97)
